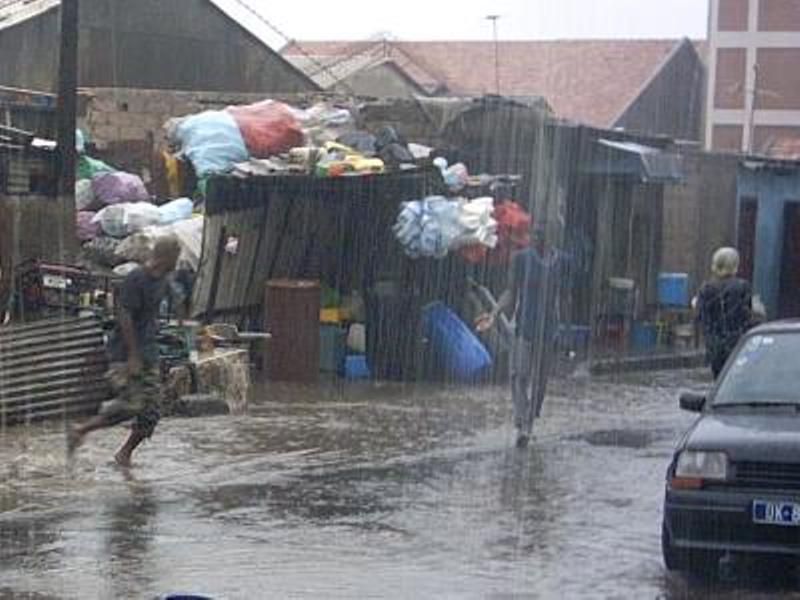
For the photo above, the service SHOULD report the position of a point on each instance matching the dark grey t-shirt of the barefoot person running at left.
(140, 295)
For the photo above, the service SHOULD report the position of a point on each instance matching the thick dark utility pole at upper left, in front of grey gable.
(67, 99)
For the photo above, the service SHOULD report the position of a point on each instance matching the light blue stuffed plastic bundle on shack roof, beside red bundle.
(212, 141)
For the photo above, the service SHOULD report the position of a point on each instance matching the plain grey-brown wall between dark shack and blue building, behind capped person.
(699, 214)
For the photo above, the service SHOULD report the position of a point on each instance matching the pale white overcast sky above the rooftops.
(466, 19)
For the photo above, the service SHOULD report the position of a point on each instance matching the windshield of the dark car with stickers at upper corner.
(764, 371)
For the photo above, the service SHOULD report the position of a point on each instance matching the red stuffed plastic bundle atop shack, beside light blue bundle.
(268, 127)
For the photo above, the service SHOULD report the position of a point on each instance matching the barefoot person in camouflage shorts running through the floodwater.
(133, 352)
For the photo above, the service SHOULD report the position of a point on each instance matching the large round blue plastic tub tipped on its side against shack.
(460, 351)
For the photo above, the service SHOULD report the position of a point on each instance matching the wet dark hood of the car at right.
(746, 436)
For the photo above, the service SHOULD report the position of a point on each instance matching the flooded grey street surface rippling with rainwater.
(362, 492)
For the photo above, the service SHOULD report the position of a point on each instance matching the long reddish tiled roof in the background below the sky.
(590, 81)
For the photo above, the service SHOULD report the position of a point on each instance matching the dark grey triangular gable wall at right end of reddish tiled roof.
(672, 102)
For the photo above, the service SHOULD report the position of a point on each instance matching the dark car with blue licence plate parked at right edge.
(733, 486)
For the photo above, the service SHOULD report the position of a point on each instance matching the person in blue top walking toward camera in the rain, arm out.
(532, 294)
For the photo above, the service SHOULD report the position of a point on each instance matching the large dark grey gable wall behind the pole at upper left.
(149, 44)
